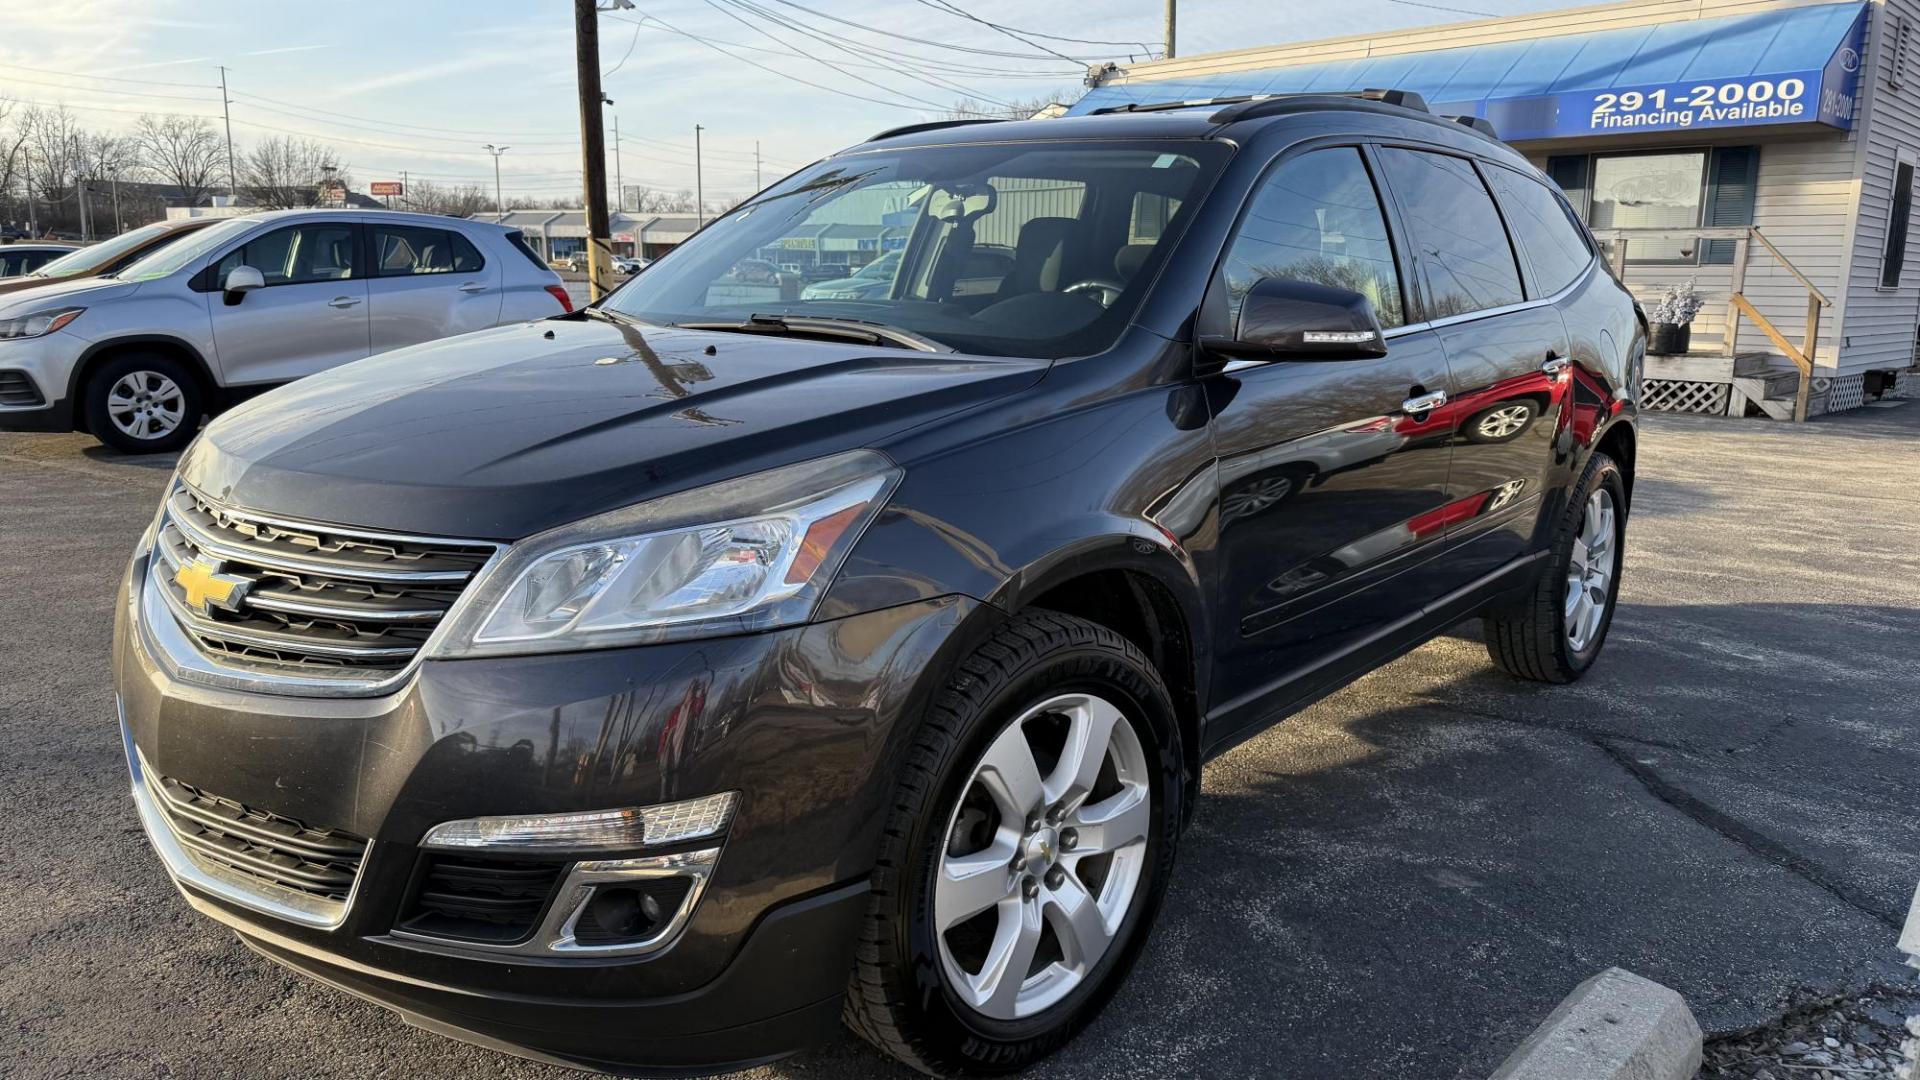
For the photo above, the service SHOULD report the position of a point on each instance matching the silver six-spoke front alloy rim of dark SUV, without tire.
(1044, 856)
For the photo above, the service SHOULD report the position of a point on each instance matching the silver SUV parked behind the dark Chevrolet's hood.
(247, 305)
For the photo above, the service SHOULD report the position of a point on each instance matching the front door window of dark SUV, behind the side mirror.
(1318, 218)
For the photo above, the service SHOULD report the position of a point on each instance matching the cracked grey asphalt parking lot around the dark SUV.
(1399, 883)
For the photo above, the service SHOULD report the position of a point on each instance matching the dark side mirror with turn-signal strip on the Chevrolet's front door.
(1297, 320)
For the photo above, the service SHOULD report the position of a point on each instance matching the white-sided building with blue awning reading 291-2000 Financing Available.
(1765, 151)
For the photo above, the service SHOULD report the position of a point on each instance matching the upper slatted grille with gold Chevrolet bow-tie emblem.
(302, 599)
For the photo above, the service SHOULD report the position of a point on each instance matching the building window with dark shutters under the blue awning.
(1671, 189)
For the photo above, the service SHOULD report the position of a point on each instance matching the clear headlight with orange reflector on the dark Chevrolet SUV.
(740, 556)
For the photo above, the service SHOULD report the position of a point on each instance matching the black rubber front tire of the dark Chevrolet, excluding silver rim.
(900, 996)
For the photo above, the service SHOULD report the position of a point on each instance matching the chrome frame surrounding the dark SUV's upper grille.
(176, 652)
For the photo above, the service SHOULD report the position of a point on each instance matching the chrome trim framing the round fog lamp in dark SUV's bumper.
(556, 933)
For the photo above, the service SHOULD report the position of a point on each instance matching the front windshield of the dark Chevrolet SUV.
(1024, 249)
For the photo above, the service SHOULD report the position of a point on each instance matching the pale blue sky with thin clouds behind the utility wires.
(421, 86)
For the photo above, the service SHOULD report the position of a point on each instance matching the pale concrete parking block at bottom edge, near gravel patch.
(1612, 1027)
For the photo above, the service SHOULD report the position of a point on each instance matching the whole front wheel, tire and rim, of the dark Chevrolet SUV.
(1026, 850)
